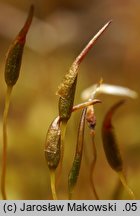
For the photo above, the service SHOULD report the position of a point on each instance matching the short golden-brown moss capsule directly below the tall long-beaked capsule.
(52, 144)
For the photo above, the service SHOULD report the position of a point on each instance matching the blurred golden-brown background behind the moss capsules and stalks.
(59, 31)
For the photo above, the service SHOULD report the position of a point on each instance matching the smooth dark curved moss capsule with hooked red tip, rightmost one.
(109, 141)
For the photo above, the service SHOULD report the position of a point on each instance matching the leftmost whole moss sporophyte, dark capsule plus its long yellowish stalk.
(12, 69)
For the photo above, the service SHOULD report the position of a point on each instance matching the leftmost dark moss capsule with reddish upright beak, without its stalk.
(14, 54)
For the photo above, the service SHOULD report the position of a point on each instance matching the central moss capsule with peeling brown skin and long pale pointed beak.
(66, 90)
